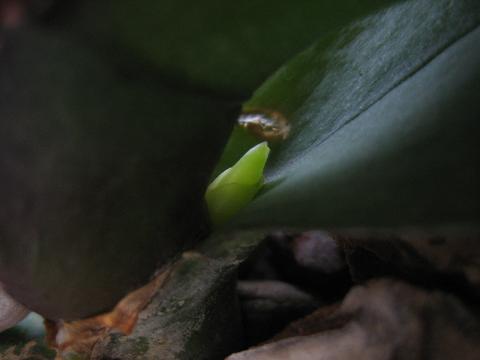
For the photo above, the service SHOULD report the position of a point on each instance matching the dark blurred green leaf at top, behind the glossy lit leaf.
(228, 46)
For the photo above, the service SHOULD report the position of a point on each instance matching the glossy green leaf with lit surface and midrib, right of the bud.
(384, 120)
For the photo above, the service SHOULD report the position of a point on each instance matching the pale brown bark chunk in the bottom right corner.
(383, 320)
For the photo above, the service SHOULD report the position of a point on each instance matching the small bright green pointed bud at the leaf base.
(234, 188)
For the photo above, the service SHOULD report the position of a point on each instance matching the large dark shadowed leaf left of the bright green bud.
(102, 175)
